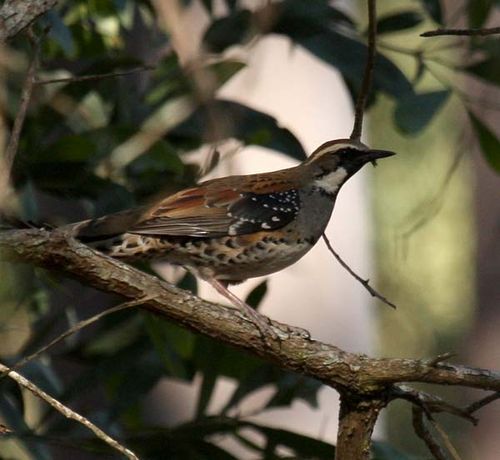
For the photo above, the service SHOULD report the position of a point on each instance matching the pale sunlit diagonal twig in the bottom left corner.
(67, 412)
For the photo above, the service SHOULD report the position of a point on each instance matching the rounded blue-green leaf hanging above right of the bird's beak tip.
(413, 113)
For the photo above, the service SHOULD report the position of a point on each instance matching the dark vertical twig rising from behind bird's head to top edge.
(368, 74)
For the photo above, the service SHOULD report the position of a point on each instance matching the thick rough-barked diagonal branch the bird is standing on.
(296, 352)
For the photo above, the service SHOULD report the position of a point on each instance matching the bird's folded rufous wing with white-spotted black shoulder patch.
(218, 208)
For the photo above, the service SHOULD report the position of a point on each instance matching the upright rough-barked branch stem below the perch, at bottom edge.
(356, 422)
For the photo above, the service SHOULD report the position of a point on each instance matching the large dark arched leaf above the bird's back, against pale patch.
(241, 122)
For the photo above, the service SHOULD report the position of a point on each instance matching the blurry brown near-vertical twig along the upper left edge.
(10, 152)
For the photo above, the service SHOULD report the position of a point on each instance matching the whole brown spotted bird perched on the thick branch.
(229, 229)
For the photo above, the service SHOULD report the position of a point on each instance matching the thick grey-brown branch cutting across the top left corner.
(16, 15)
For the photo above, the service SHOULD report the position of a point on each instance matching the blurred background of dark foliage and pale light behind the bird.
(156, 95)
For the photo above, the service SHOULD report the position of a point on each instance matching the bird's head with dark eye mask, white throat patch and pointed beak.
(332, 163)
